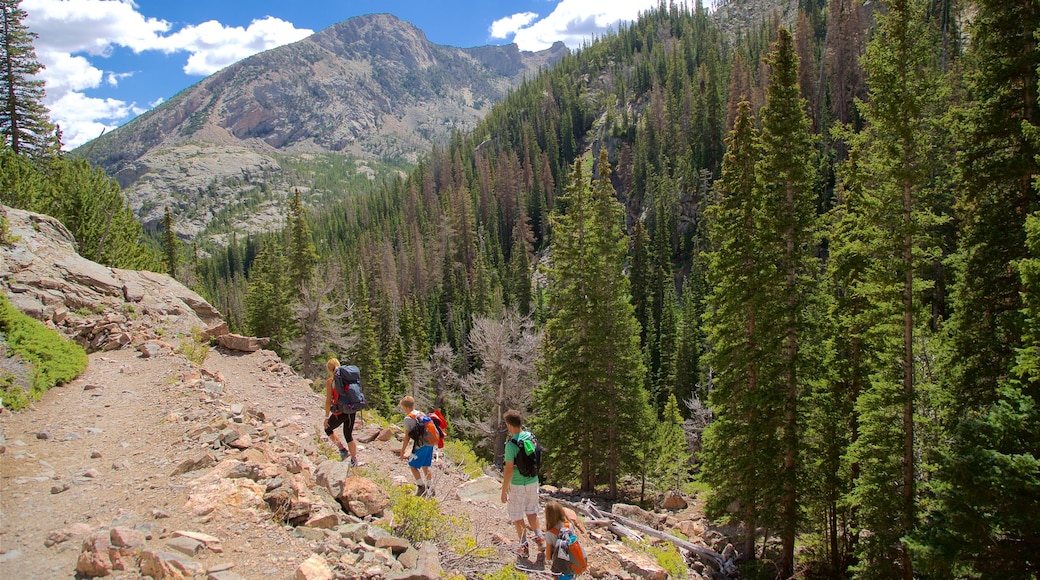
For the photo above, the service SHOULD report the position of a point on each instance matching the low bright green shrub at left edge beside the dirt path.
(56, 361)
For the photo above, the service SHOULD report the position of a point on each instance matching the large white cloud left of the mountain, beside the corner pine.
(69, 30)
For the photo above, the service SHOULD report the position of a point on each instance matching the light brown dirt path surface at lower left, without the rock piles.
(100, 453)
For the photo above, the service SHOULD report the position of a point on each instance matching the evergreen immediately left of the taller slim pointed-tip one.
(741, 445)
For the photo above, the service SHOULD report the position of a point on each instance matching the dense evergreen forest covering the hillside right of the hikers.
(796, 270)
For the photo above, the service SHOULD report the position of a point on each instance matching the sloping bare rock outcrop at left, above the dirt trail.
(99, 307)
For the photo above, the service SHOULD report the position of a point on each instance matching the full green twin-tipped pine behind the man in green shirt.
(593, 362)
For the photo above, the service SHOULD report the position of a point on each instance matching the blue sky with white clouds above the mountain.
(110, 61)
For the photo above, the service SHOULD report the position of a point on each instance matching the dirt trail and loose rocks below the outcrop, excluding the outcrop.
(163, 467)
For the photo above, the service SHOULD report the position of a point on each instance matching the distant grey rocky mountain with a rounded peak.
(370, 88)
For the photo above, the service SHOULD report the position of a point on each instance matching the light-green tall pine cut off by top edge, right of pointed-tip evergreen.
(897, 160)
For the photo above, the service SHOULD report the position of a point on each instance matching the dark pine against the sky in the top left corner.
(24, 121)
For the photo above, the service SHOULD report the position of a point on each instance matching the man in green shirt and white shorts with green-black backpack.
(521, 483)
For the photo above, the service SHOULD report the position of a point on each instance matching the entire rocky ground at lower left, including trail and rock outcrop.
(149, 465)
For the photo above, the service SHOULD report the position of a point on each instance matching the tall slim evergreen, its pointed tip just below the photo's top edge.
(786, 173)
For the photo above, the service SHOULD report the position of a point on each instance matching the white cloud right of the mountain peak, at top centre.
(578, 21)
